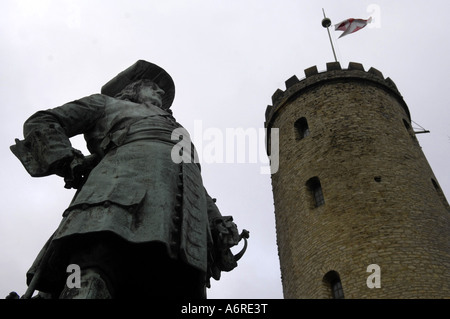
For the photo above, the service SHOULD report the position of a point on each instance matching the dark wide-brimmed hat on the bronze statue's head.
(138, 71)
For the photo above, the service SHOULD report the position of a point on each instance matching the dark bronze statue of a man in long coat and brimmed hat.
(141, 224)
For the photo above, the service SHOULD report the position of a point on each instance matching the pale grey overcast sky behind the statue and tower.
(227, 58)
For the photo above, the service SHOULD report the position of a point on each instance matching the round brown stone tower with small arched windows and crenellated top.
(359, 212)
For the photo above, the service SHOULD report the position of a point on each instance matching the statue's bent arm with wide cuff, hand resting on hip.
(46, 148)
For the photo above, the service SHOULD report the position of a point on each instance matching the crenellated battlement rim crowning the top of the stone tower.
(333, 73)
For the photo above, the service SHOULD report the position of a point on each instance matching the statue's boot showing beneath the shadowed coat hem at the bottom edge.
(93, 286)
